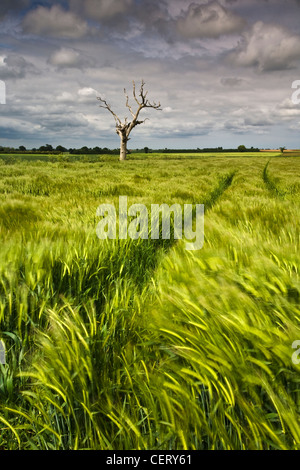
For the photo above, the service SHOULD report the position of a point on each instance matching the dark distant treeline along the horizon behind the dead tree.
(48, 149)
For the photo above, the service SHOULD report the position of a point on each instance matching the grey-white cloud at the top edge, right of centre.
(210, 20)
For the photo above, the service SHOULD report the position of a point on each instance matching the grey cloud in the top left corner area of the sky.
(54, 22)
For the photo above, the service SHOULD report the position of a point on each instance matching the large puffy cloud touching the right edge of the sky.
(267, 47)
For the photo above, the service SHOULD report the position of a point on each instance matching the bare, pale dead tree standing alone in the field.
(123, 129)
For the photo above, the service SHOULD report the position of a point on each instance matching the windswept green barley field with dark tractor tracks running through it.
(141, 344)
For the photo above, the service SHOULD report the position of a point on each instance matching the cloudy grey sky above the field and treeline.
(222, 70)
